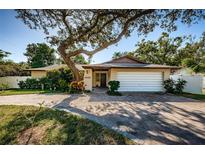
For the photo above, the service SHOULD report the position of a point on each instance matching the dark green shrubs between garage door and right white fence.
(172, 86)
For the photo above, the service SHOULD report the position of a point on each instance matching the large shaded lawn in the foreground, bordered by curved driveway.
(52, 127)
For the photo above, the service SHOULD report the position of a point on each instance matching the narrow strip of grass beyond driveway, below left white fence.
(22, 92)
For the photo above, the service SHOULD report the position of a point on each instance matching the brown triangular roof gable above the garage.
(125, 59)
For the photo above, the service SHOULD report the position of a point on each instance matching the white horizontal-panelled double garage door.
(140, 81)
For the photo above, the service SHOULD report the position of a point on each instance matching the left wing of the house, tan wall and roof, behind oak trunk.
(42, 71)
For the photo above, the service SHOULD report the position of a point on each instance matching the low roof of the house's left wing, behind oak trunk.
(53, 67)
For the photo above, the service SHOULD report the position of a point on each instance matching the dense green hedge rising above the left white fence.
(9, 68)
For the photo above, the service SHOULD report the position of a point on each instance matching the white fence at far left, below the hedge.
(12, 81)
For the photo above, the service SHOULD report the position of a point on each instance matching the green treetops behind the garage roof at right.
(177, 51)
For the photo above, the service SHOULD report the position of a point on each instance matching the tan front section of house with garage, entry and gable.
(133, 74)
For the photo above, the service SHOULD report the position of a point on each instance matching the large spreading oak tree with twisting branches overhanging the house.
(91, 31)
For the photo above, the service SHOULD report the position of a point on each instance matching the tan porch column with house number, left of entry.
(88, 79)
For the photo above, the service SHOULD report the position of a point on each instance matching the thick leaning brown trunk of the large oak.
(69, 62)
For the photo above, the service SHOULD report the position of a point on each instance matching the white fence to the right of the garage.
(194, 83)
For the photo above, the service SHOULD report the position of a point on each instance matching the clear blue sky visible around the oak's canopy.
(15, 36)
